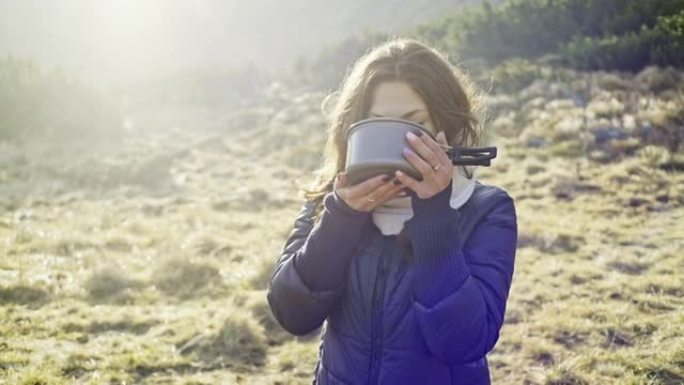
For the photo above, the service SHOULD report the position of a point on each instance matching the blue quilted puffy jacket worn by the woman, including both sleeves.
(392, 320)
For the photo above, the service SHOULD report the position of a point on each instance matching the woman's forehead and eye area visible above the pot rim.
(396, 99)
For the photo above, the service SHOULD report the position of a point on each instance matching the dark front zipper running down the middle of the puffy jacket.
(376, 316)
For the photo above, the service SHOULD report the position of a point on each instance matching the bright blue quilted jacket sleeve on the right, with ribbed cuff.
(460, 290)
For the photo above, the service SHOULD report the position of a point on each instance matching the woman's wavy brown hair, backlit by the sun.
(451, 98)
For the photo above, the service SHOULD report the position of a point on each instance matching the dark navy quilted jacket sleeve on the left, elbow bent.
(310, 273)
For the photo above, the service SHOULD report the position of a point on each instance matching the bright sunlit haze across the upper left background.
(107, 41)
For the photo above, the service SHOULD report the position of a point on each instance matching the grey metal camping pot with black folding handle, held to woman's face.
(374, 146)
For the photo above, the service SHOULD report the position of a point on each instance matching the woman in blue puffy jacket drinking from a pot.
(410, 277)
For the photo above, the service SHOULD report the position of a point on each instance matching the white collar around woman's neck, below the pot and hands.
(390, 216)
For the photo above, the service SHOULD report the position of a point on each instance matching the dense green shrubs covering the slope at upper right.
(608, 34)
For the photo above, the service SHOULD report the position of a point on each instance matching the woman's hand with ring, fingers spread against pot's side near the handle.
(431, 160)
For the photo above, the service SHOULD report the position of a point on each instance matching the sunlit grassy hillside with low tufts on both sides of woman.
(146, 259)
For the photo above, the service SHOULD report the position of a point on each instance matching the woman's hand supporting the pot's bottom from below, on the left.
(379, 188)
